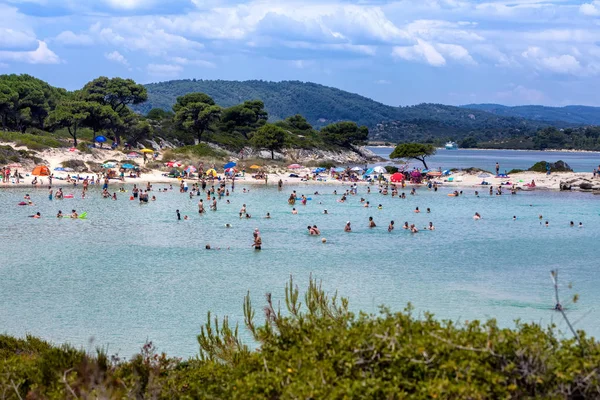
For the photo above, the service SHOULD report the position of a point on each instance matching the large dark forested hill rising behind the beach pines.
(322, 105)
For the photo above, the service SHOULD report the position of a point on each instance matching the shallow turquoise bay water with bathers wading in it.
(131, 273)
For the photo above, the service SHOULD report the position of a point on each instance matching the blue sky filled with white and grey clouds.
(400, 52)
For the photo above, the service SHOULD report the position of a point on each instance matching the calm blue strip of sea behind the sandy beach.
(508, 159)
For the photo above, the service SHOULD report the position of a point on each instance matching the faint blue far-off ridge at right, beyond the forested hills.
(580, 115)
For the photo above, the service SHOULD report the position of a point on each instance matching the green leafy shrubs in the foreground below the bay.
(318, 349)
